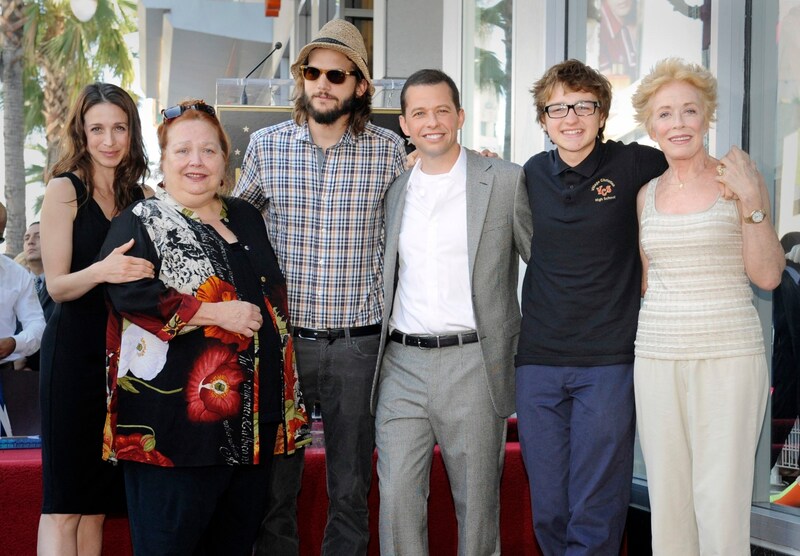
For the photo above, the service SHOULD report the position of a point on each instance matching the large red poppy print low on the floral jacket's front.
(212, 392)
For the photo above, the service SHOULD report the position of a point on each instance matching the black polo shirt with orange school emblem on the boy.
(580, 296)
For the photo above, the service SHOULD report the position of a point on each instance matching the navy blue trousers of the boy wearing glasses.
(576, 429)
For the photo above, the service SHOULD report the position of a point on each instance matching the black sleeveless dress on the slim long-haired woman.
(76, 480)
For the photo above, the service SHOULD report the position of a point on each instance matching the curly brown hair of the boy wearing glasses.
(572, 75)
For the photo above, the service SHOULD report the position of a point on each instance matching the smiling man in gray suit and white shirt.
(456, 226)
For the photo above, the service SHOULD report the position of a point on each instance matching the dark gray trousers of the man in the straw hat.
(338, 375)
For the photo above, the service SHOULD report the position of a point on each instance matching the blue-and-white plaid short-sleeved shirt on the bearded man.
(325, 221)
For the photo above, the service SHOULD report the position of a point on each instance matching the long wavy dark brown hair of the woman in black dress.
(74, 156)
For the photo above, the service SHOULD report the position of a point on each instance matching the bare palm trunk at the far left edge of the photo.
(11, 26)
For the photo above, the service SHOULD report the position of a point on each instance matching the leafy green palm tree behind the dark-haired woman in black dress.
(62, 55)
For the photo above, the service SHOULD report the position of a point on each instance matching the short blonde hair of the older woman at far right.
(668, 71)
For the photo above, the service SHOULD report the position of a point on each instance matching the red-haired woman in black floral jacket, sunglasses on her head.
(197, 354)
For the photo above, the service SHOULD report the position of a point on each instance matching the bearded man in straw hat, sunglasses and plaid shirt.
(319, 181)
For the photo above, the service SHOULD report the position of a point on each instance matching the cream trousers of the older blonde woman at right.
(699, 423)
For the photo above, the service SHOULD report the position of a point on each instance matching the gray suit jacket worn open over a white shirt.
(499, 230)
